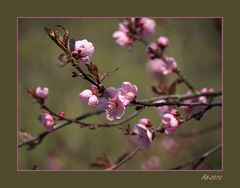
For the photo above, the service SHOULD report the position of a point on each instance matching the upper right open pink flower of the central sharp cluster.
(127, 92)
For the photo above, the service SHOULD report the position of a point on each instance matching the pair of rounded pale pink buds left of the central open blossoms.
(89, 98)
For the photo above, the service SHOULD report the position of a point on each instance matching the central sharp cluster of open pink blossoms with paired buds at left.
(113, 100)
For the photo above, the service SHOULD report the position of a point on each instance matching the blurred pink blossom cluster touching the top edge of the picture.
(130, 29)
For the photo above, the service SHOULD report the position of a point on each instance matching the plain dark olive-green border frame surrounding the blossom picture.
(11, 178)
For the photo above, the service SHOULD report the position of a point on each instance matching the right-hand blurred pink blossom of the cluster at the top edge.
(148, 26)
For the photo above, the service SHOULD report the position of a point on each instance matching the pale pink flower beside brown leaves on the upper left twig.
(83, 50)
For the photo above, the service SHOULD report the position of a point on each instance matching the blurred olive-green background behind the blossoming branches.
(194, 43)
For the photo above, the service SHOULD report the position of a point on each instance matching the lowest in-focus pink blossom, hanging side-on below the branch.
(144, 135)
